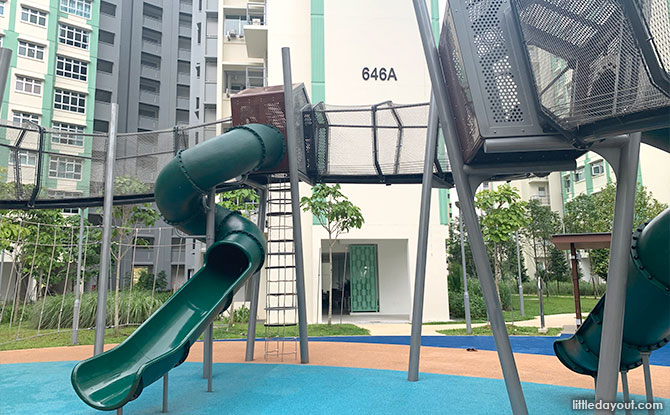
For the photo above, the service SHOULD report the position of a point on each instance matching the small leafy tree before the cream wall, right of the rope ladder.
(336, 215)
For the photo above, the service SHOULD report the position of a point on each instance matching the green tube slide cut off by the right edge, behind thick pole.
(647, 317)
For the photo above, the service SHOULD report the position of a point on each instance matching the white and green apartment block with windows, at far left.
(52, 82)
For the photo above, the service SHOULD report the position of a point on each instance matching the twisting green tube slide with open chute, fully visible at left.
(113, 378)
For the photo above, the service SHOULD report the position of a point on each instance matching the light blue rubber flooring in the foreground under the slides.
(44, 388)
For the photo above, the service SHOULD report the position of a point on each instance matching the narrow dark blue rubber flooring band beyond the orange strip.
(520, 344)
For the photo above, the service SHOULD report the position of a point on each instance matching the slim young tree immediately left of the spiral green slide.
(127, 217)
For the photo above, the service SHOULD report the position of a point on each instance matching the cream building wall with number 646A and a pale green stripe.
(331, 43)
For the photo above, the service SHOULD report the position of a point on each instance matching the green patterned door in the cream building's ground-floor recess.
(363, 274)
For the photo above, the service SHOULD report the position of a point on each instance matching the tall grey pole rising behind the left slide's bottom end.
(101, 313)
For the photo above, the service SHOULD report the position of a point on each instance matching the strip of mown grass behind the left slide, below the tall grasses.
(52, 338)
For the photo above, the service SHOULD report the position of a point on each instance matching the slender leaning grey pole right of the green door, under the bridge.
(422, 243)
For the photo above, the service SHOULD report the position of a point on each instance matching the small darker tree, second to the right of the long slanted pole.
(542, 224)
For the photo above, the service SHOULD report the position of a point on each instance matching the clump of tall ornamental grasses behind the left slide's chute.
(134, 309)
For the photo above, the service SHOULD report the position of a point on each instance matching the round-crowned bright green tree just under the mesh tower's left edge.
(503, 214)
